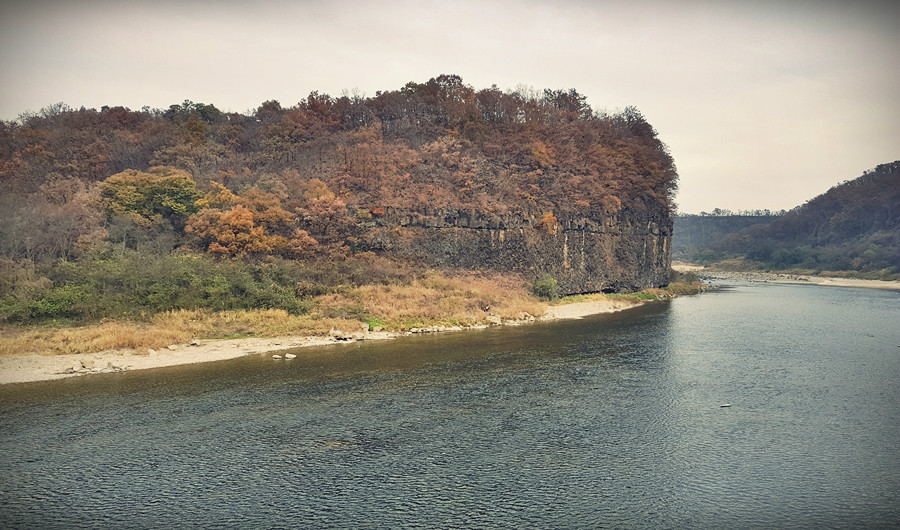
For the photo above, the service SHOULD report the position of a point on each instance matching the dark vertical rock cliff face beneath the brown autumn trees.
(626, 251)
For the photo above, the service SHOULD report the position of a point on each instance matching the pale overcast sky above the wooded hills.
(762, 104)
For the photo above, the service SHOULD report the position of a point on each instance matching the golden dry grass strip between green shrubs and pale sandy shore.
(437, 299)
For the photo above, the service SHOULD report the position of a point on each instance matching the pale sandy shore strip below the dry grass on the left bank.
(32, 367)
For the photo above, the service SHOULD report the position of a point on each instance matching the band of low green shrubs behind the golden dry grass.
(120, 282)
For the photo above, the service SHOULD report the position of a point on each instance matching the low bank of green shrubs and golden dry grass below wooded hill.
(123, 303)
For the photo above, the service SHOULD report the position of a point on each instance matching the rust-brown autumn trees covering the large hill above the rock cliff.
(439, 143)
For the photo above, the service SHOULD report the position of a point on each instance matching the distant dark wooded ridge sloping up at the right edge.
(855, 226)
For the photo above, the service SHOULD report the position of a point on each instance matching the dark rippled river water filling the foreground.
(612, 421)
